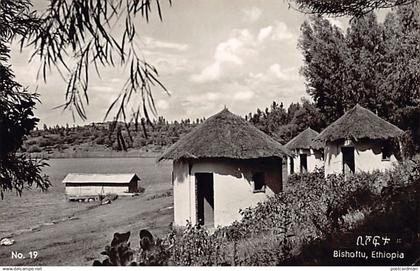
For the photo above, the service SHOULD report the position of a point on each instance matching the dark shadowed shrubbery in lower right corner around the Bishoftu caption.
(392, 212)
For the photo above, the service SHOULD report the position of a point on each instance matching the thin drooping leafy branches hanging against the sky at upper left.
(83, 31)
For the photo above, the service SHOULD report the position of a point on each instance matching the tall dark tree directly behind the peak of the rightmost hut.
(364, 65)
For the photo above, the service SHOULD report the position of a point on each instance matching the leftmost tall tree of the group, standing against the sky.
(323, 47)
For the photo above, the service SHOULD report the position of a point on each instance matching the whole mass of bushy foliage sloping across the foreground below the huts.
(302, 225)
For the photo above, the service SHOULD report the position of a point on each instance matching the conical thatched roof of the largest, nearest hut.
(225, 135)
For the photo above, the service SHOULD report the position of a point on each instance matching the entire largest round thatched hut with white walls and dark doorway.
(223, 165)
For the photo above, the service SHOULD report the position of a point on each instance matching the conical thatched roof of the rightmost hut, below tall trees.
(359, 123)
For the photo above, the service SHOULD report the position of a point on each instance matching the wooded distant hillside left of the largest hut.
(103, 139)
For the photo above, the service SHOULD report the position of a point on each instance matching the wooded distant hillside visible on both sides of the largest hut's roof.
(148, 139)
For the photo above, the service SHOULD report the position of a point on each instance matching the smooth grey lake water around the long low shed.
(18, 214)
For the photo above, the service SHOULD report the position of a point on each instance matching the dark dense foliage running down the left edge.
(17, 171)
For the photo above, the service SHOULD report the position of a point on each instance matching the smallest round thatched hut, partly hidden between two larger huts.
(306, 154)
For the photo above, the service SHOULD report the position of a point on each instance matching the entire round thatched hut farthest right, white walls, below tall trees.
(359, 141)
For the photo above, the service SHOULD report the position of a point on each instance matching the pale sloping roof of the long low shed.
(99, 178)
